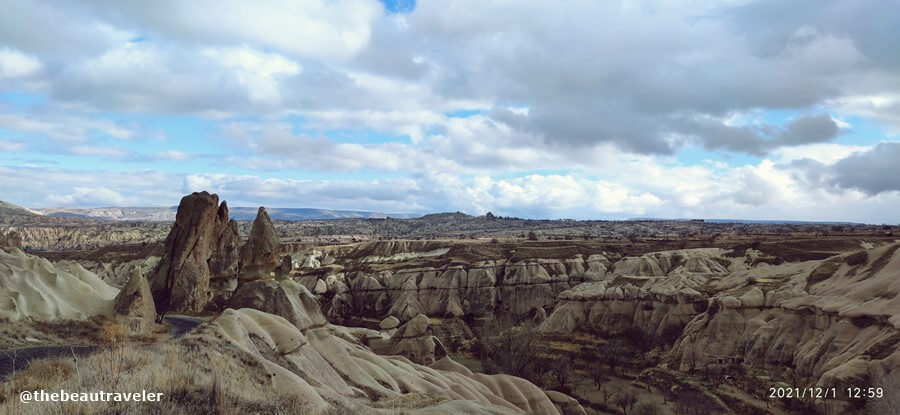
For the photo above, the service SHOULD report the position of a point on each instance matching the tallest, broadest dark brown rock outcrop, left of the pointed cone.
(199, 248)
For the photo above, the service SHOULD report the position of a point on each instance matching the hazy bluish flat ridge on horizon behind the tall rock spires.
(167, 214)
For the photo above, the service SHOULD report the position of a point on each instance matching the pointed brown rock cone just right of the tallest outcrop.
(261, 254)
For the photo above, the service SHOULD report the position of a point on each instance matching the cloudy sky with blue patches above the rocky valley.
(540, 109)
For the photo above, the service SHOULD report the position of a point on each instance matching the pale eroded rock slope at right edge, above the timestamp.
(834, 322)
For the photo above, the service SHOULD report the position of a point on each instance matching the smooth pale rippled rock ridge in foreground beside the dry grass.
(325, 367)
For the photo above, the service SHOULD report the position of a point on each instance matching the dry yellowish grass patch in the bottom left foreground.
(192, 381)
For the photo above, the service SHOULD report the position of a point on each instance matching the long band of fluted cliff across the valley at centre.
(479, 289)
